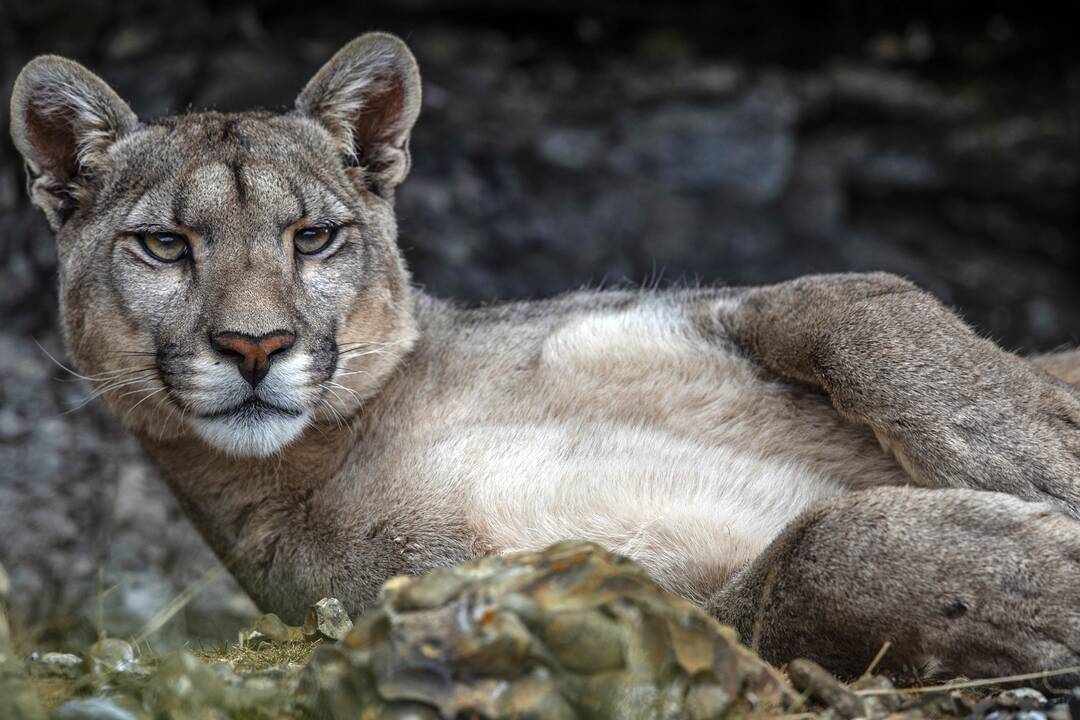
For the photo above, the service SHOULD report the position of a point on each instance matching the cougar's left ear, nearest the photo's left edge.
(63, 120)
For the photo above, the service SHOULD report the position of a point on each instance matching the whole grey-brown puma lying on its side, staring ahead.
(826, 465)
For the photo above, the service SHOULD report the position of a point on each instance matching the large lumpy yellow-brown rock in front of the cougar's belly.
(571, 632)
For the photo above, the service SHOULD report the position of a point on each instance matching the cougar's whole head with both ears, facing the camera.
(229, 276)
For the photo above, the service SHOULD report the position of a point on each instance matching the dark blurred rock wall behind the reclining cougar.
(561, 145)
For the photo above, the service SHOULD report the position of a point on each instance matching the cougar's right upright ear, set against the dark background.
(369, 98)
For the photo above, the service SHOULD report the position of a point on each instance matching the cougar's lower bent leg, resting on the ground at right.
(961, 582)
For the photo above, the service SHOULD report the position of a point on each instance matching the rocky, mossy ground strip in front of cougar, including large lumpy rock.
(564, 634)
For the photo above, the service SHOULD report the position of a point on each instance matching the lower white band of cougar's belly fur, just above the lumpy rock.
(691, 513)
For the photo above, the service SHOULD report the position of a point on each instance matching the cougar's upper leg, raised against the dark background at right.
(956, 410)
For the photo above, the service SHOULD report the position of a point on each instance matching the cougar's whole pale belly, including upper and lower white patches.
(660, 443)
